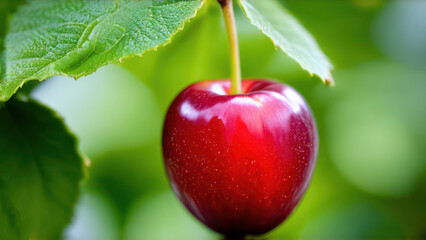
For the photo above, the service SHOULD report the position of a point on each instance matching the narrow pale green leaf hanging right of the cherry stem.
(288, 34)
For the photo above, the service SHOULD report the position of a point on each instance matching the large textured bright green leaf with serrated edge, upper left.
(76, 37)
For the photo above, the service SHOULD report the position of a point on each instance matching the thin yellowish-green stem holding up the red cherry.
(231, 28)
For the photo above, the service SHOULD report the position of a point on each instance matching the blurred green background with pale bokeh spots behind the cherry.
(369, 182)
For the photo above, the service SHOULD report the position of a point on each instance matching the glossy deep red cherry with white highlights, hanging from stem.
(239, 163)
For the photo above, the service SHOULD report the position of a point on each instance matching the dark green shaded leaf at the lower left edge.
(40, 171)
